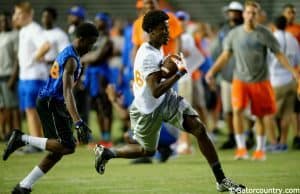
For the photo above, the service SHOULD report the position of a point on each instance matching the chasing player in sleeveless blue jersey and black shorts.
(57, 110)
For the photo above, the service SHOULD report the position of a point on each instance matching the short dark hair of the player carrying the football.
(153, 19)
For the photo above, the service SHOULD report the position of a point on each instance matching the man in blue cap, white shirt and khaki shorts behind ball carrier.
(190, 88)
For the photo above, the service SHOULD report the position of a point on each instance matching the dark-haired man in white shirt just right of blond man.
(56, 36)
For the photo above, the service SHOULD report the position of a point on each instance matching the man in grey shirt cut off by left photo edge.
(9, 113)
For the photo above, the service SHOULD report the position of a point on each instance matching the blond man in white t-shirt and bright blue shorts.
(33, 70)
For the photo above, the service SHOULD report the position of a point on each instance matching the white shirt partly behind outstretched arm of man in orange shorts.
(289, 46)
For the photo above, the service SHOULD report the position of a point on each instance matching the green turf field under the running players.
(183, 175)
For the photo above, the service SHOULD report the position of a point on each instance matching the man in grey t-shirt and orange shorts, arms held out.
(249, 44)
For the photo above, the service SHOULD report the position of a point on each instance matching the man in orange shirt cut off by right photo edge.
(289, 12)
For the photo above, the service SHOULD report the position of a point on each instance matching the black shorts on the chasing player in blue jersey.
(56, 121)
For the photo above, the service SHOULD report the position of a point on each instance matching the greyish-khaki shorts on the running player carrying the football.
(146, 127)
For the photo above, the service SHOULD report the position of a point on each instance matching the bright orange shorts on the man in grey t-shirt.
(260, 94)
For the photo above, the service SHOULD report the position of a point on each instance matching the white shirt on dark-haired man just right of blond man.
(58, 40)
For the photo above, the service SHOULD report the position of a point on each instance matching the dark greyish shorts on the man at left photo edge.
(8, 98)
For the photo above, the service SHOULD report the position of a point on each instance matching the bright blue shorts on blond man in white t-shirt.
(28, 93)
